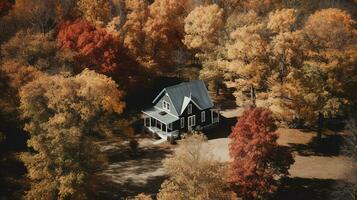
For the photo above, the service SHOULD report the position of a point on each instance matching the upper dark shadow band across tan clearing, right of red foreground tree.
(329, 145)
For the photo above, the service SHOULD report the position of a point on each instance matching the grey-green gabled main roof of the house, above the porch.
(195, 91)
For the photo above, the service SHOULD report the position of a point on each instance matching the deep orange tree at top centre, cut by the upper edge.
(153, 32)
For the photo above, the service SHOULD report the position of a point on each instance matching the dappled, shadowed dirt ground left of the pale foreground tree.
(130, 174)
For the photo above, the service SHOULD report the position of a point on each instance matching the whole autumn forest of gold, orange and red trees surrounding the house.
(75, 74)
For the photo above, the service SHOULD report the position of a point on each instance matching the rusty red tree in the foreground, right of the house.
(258, 161)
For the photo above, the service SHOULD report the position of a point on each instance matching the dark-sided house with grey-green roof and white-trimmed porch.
(181, 108)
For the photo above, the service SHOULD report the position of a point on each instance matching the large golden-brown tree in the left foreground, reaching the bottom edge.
(63, 116)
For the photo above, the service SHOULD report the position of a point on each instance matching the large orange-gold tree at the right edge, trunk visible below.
(326, 81)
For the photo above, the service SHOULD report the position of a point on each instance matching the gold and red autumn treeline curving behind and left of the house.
(66, 66)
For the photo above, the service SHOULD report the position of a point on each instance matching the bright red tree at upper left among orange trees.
(96, 48)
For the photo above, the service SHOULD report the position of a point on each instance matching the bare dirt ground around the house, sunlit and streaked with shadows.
(316, 173)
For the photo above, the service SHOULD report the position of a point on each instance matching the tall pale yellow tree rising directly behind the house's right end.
(202, 27)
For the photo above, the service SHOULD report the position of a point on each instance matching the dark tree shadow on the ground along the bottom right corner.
(311, 189)
